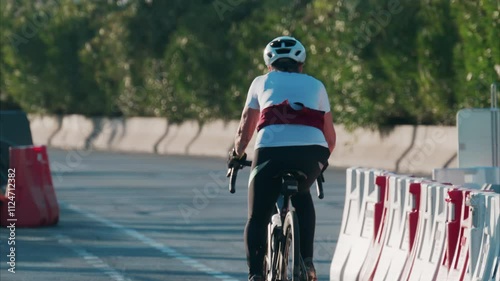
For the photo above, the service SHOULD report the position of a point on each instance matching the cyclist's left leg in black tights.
(263, 192)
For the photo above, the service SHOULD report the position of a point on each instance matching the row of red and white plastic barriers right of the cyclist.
(399, 228)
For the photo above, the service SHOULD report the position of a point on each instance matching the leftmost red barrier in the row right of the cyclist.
(367, 271)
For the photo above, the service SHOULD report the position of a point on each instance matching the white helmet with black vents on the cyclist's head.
(284, 47)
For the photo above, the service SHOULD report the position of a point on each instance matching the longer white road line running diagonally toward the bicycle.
(154, 244)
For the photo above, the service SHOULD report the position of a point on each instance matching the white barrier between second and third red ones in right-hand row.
(430, 239)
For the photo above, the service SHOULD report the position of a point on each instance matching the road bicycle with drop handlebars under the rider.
(283, 261)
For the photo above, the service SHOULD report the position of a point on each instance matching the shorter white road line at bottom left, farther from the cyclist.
(91, 259)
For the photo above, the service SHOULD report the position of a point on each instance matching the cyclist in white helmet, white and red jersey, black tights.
(291, 112)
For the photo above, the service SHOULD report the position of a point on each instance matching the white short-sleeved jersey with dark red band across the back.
(291, 105)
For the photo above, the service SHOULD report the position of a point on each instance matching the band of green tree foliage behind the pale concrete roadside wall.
(383, 62)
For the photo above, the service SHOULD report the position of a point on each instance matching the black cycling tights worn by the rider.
(264, 189)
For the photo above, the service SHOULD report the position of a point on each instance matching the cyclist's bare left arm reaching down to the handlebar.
(248, 122)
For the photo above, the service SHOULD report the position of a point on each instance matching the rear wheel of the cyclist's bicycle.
(291, 263)
